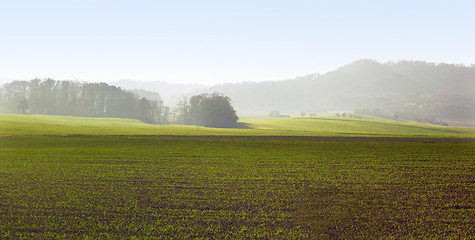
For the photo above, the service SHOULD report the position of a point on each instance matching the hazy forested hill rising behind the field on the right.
(407, 89)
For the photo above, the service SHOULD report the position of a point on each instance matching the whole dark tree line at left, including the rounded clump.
(72, 98)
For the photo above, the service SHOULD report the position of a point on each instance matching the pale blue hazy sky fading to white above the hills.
(224, 41)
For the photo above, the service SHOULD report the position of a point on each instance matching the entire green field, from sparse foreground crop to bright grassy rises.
(77, 178)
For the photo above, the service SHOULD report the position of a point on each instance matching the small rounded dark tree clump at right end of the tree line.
(209, 110)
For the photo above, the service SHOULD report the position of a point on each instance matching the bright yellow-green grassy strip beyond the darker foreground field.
(60, 125)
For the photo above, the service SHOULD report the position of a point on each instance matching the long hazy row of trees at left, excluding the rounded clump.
(78, 99)
